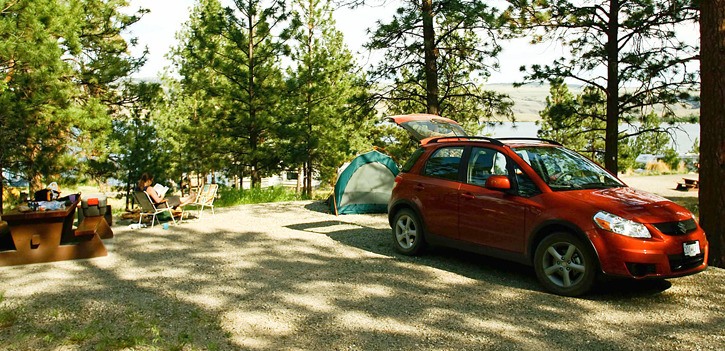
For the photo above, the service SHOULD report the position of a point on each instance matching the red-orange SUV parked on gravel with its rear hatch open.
(538, 203)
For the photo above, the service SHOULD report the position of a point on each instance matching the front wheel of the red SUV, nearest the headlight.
(569, 272)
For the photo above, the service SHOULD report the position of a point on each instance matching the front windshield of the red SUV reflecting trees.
(563, 169)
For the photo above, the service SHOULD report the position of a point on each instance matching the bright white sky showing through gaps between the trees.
(157, 29)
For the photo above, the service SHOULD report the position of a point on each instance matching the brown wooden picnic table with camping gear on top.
(48, 236)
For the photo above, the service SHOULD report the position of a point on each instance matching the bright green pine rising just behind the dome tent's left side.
(326, 127)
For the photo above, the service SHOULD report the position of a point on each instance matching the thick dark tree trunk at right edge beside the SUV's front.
(712, 127)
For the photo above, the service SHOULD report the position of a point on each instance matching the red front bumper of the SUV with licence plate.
(662, 256)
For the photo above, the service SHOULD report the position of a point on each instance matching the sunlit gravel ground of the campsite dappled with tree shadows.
(289, 276)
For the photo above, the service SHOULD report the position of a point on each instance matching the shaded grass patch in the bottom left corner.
(112, 326)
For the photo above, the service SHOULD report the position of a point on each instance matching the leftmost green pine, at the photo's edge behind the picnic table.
(37, 89)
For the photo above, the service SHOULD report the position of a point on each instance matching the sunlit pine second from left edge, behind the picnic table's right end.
(103, 66)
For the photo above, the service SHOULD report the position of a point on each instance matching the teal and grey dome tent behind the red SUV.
(365, 185)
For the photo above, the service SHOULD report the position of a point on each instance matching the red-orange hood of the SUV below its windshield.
(632, 204)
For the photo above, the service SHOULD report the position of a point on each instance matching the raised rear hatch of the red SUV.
(425, 126)
